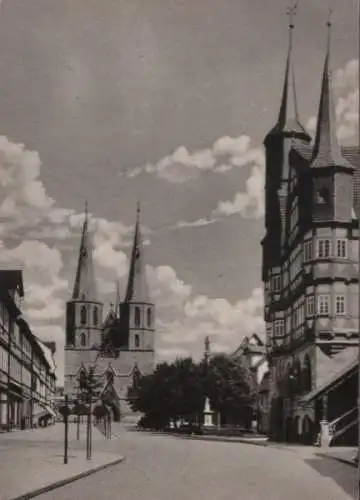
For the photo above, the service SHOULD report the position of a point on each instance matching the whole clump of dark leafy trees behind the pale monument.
(177, 390)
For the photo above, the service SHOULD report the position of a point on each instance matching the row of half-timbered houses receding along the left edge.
(27, 367)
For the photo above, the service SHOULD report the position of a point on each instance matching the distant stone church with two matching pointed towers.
(119, 346)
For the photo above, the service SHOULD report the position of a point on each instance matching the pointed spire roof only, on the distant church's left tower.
(84, 286)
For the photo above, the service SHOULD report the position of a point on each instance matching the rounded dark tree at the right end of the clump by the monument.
(231, 389)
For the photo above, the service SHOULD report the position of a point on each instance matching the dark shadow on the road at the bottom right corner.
(343, 474)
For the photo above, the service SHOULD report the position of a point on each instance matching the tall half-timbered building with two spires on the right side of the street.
(310, 263)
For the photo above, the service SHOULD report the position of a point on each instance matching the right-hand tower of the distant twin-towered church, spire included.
(137, 312)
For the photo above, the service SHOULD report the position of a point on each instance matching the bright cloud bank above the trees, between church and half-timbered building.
(198, 315)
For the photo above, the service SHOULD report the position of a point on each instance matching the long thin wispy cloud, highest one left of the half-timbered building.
(182, 166)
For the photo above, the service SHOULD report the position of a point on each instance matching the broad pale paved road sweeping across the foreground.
(168, 468)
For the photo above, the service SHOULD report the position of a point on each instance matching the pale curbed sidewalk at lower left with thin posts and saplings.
(32, 461)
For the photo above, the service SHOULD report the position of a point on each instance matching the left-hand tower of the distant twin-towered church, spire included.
(83, 313)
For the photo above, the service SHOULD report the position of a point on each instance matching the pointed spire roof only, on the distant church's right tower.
(137, 288)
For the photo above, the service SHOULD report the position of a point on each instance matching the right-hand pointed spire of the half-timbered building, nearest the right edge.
(327, 151)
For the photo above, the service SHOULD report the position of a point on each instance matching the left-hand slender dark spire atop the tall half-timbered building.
(288, 122)
